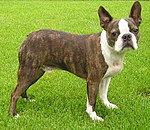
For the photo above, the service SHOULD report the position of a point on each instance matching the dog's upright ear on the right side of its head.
(135, 13)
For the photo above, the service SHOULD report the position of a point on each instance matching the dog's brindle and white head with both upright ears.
(122, 35)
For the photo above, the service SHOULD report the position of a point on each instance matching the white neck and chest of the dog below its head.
(113, 59)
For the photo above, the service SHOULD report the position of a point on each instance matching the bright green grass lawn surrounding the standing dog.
(61, 97)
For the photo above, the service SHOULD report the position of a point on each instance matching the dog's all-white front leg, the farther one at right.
(103, 93)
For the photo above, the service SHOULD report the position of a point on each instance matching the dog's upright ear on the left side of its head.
(105, 17)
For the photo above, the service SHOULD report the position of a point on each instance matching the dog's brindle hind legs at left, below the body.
(26, 77)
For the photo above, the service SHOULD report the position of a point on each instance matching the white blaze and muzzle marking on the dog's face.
(124, 29)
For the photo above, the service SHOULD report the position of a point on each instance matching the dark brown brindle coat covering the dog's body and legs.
(50, 49)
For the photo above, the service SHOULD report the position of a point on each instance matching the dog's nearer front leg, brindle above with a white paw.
(92, 90)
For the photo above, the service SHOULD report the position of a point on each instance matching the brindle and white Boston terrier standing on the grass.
(93, 57)
